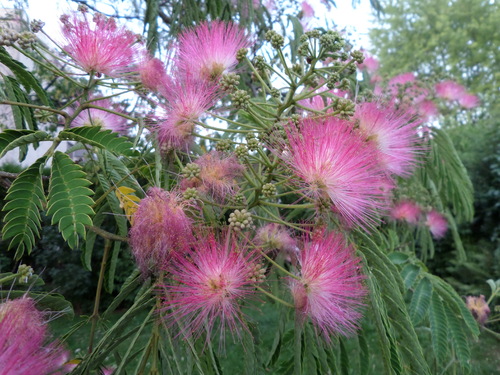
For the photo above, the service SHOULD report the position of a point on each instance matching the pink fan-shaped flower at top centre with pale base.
(209, 50)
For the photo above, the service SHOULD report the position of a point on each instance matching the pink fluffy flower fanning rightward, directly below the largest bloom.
(330, 290)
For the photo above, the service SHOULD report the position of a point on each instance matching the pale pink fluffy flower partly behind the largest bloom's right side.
(392, 134)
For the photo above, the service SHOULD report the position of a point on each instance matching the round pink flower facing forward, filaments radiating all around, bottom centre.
(210, 283)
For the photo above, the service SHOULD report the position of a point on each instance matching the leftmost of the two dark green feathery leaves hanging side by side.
(25, 198)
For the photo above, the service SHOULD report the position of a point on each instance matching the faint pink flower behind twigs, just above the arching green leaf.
(104, 119)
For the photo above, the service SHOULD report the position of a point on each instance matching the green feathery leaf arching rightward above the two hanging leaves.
(104, 139)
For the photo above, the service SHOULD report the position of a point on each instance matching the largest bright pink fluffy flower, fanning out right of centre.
(338, 164)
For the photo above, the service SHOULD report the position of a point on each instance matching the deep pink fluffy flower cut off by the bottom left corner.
(23, 341)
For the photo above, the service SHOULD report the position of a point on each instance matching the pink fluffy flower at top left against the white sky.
(99, 46)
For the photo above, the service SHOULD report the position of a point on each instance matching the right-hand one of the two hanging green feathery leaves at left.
(69, 198)
